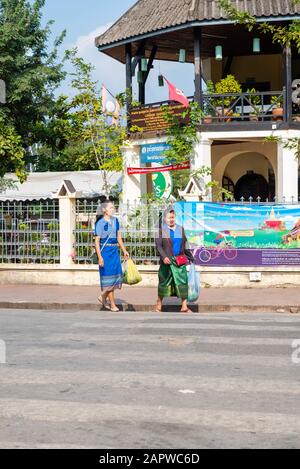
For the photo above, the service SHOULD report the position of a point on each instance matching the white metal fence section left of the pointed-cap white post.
(29, 232)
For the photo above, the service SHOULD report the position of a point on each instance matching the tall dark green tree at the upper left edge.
(31, 71)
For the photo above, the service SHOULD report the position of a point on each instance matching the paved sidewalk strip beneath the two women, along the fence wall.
(143, 299)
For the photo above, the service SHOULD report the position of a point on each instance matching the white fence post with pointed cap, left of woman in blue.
(66, 196)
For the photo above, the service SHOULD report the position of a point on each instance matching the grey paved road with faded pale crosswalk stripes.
(84, 379)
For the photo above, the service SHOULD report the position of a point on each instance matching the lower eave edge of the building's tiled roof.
(192, 24)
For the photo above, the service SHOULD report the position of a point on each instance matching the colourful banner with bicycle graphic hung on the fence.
(232, 234)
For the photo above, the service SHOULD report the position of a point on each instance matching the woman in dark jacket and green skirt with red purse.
(172, 245)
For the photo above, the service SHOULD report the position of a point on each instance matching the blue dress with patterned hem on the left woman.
(111, 275)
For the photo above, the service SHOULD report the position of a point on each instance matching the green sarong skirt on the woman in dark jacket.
(173, 281)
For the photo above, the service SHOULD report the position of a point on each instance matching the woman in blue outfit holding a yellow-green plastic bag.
(107, 240)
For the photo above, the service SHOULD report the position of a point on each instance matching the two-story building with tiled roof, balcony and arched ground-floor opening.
(232, 134)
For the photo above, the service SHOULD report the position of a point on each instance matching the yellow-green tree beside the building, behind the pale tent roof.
(79, 136)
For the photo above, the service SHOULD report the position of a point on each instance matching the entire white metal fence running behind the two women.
(29, 232)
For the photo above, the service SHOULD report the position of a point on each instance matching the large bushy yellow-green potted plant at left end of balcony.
(226, 86)
